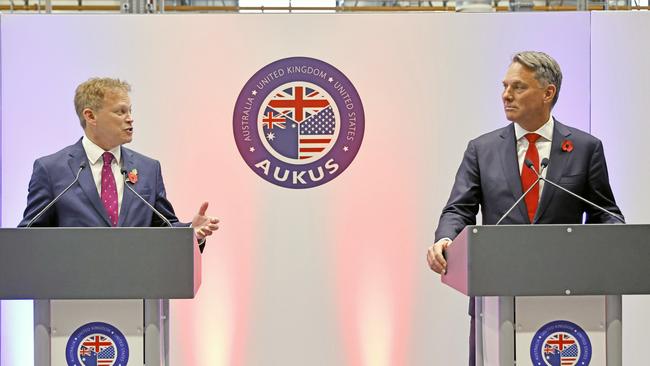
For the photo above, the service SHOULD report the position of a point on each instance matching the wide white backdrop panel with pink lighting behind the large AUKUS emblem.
(333, 275)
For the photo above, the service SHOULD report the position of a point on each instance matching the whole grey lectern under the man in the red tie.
(528, 279)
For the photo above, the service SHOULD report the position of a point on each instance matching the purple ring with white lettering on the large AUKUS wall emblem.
(343, 158)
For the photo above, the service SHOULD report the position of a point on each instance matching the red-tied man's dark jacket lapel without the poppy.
(510, 165)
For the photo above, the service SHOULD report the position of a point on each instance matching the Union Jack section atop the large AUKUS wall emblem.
(298, 102)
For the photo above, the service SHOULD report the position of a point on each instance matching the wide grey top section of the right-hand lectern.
(550, 260)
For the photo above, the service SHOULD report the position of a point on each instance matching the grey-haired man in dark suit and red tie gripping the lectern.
(493, 173)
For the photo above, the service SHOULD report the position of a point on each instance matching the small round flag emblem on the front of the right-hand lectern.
(560, 342)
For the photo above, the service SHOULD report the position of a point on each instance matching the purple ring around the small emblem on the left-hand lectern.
(71, 356)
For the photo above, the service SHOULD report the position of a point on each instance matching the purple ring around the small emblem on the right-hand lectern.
(560, 326)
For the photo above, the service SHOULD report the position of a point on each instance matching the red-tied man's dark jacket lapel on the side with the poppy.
(558, 161)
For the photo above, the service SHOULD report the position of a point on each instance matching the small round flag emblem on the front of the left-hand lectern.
(96, 344)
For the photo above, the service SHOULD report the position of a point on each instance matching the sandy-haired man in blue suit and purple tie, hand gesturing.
(104, 166)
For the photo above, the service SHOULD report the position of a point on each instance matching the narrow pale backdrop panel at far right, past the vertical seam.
(620, 81)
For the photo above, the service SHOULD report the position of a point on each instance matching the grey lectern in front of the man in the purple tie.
(118, 270)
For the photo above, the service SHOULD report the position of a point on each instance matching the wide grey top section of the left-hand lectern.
(98, 263)
